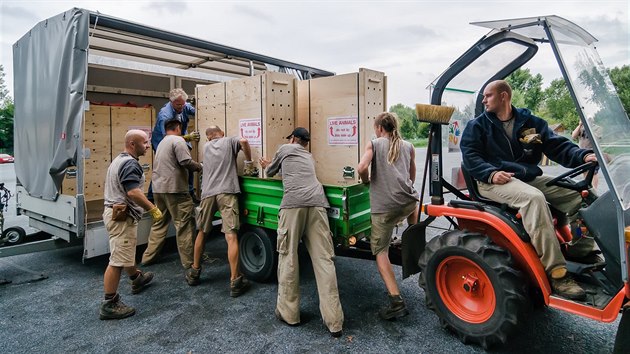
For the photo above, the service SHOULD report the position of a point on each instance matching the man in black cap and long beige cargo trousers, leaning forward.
(303, 217)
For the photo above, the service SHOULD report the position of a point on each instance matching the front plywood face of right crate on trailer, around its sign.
(333, 97)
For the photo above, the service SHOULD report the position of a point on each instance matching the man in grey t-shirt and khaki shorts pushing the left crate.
(219, 191)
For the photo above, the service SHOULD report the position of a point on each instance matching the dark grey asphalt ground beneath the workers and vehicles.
(51, 306)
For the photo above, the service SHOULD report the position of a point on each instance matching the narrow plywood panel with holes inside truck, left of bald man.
(97, 147)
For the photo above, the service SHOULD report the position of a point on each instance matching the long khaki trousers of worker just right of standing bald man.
(179, 207)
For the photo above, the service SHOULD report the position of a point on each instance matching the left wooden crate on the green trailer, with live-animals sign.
(260, 108)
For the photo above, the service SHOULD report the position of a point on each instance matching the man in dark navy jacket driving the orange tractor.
(501, 149)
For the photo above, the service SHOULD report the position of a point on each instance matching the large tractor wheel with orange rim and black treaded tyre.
(472, 286)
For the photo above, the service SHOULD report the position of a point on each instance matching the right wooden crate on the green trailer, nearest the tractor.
(340, 112)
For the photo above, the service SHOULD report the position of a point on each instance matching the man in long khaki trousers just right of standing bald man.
(171, 167)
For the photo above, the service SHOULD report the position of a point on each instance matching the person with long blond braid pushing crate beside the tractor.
(392, 198)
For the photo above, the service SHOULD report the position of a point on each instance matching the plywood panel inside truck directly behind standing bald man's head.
(125, 119)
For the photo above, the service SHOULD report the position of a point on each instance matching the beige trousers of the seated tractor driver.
(530, 198)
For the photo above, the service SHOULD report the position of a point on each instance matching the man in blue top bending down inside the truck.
(175, 108)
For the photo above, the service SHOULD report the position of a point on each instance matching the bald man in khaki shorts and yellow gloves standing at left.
(125, 203)
